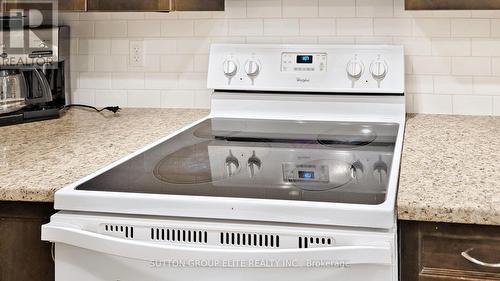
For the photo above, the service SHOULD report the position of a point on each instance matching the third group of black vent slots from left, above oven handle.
(249, 239)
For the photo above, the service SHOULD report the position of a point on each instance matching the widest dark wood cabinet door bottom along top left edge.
(128, 5)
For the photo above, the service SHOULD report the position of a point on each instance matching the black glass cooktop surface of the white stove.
(319, 161)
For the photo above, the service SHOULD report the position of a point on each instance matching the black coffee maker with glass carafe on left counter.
(34, 73)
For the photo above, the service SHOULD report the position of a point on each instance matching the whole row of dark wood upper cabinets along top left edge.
(124, 5)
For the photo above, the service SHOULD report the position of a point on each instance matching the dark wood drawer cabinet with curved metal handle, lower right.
(433, 251)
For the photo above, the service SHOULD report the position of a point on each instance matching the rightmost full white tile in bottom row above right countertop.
(473, 105)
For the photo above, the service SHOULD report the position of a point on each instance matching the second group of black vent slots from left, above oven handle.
(179, 235)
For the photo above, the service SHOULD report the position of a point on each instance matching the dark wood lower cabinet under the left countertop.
(23, 256)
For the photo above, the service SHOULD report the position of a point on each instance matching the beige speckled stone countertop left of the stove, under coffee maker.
(36, 159)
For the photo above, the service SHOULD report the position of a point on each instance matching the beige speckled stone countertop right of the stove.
(450, 170)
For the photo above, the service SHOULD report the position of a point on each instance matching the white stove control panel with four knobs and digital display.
(350, 69)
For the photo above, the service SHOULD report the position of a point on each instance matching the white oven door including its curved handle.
(82, 255)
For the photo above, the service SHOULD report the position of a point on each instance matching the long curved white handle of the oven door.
(140, 250)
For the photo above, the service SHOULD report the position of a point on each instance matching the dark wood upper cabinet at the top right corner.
(452, 4)
